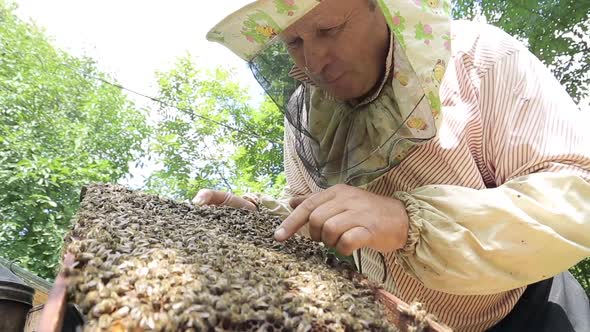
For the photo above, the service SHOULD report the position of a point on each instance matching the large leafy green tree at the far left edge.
(59, 129)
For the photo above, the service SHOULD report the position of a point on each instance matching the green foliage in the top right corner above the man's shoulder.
(556, 31)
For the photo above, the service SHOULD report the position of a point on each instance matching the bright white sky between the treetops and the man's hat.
(131, 39)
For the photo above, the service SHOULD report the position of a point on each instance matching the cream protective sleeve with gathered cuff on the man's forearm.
(486, 241)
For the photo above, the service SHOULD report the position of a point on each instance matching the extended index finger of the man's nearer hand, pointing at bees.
(300, 216)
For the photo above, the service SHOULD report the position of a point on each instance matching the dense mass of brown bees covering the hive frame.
(145, 263)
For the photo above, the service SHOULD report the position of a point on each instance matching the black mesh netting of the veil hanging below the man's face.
(357, 156)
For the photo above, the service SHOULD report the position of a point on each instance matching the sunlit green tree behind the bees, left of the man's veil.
(215, 138)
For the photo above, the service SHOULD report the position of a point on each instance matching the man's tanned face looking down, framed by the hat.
(342, 46)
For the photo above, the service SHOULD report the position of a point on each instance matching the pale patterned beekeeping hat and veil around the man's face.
(338, 142)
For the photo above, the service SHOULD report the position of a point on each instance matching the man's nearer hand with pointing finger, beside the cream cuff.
(348, 218)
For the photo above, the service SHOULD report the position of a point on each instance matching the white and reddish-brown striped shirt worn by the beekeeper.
(504, 116)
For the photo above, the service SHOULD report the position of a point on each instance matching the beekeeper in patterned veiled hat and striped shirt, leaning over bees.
(446, 157)
